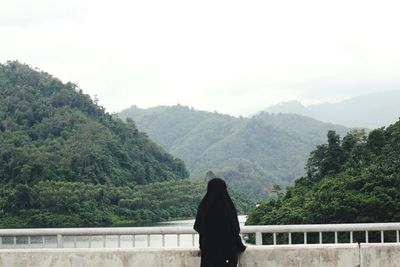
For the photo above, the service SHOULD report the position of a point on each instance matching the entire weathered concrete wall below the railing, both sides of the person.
(341, 255)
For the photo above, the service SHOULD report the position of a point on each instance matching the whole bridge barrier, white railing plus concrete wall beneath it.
(177, 246)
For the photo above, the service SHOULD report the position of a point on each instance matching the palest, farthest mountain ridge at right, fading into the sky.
(371, 110)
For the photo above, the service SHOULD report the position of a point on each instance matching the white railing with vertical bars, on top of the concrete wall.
(278, 234)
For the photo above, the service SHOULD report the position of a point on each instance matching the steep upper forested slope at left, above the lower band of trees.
(51, 130)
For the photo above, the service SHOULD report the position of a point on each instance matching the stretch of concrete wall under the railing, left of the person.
(99, 257)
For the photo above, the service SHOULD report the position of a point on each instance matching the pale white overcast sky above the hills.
(235, 57)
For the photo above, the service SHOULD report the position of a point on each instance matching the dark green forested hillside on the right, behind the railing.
(350, 180)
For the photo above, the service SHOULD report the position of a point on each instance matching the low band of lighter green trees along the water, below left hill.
(72, 204)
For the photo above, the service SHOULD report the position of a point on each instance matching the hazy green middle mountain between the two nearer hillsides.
(251, 153)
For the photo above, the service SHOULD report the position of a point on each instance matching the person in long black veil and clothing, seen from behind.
(218, 226)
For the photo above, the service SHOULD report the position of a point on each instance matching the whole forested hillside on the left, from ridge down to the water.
(64, 161)
